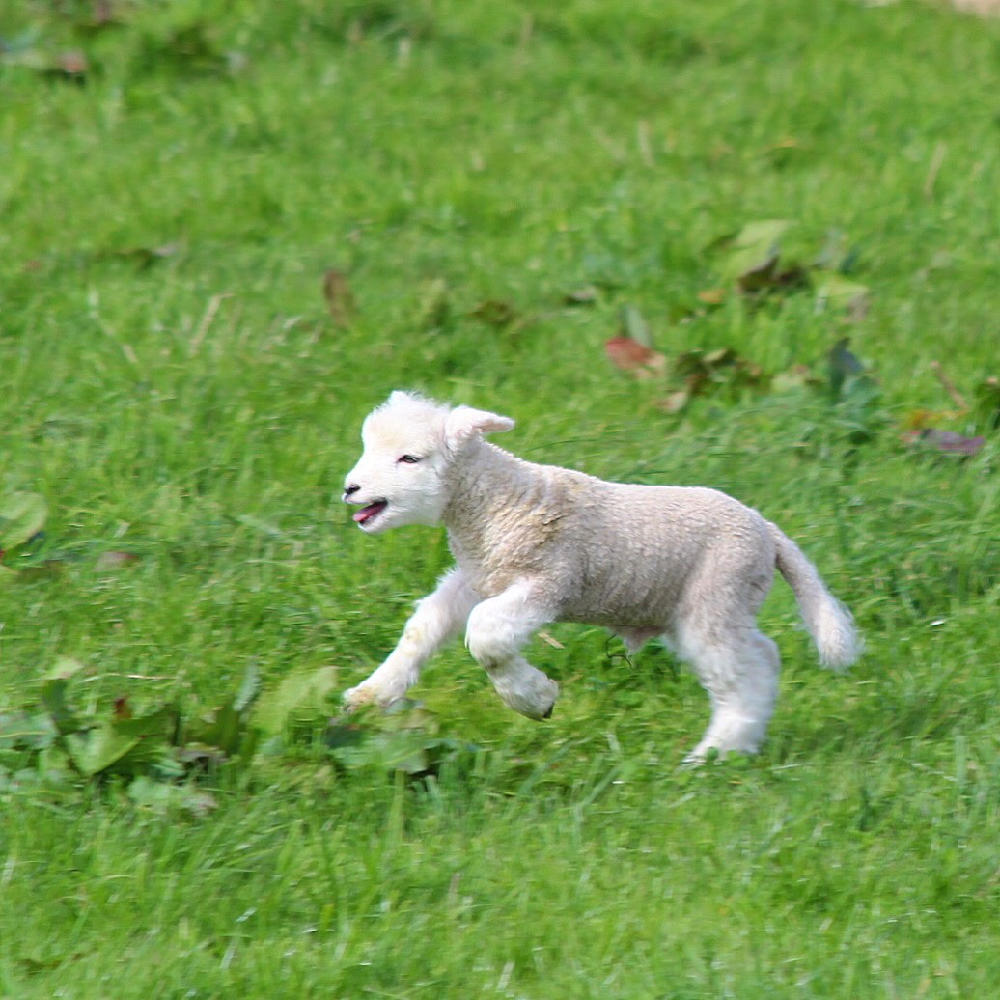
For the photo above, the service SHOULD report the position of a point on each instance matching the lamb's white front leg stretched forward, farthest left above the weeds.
(437, 618)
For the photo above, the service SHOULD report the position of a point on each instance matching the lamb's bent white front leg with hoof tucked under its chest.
(497, 630)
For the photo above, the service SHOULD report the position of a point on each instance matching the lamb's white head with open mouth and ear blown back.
(409, 444)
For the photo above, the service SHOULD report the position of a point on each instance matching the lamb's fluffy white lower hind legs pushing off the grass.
(740, 672)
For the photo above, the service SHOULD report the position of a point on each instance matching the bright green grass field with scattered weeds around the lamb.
(501, 188)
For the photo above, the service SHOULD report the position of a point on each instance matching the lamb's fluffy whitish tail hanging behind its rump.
(828, 621)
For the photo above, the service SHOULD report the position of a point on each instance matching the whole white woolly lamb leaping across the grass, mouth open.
(535, 544)
